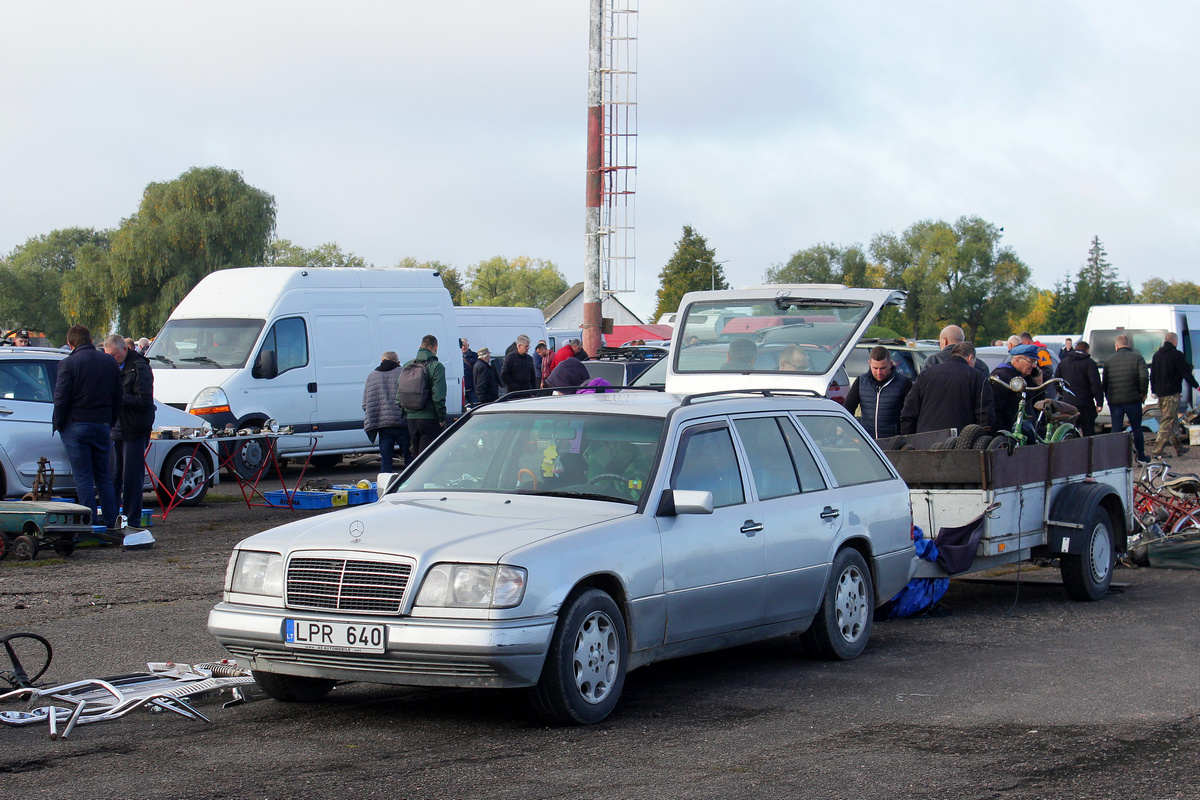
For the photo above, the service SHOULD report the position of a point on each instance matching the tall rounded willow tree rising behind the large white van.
(206, 220)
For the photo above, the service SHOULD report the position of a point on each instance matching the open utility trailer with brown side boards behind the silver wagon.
(1070, 501)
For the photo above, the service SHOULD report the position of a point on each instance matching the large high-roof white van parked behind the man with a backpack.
(296, 345)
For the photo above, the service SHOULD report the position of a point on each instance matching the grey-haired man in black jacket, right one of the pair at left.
(131, 435)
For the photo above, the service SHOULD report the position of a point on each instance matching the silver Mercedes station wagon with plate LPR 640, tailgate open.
(559, 543)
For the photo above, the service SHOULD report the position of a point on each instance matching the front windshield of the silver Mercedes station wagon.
(598, 456)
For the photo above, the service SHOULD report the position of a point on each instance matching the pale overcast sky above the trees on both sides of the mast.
(455, 130)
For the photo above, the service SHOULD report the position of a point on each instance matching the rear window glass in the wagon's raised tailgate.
(803, 336)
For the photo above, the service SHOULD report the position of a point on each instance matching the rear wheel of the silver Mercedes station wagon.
(843, 624)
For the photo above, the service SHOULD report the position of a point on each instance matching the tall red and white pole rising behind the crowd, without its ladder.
(593, 317)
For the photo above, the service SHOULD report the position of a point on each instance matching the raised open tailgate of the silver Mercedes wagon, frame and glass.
(784, 336)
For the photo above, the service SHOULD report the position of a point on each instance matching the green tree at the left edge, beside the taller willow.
(32, 279)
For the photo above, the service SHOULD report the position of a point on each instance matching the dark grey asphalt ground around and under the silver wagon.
(1019, 693)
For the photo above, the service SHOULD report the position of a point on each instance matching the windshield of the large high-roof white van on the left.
(205, 344)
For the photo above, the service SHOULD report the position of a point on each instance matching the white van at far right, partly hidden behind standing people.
(1147, 326)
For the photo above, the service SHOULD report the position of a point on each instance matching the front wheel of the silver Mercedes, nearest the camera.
(585, 670)
